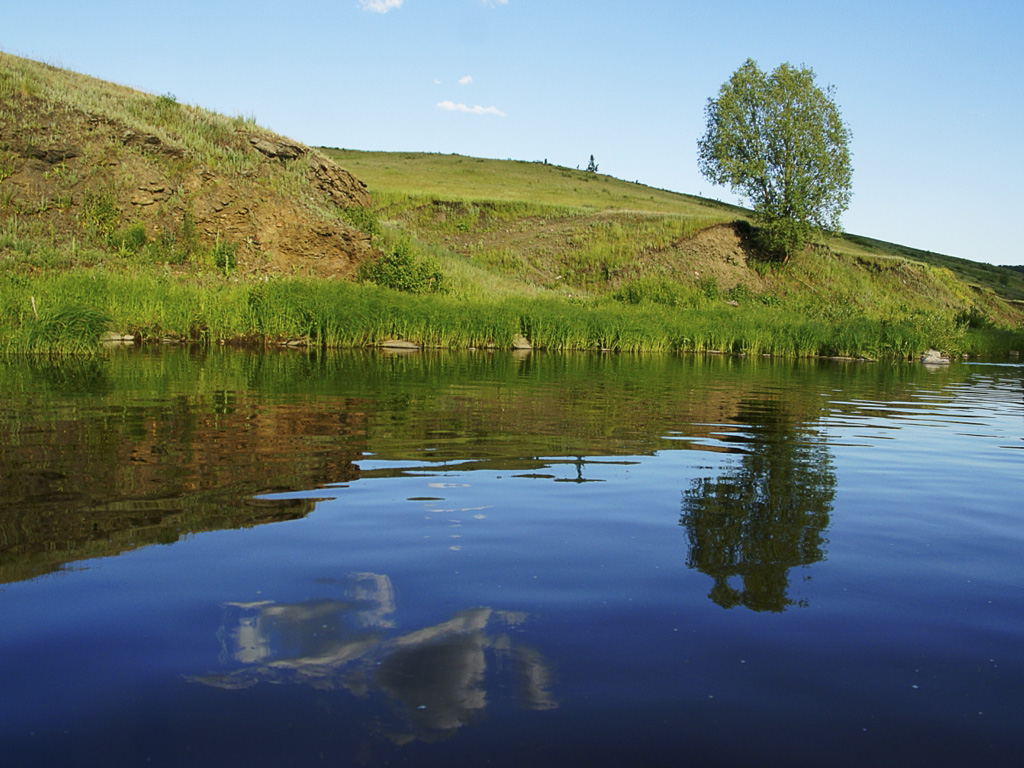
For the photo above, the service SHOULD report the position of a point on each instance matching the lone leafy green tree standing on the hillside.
(780, 142)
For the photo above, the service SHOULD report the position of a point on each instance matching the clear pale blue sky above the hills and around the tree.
(932, 92)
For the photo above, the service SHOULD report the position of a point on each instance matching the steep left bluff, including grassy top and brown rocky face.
(88, 162)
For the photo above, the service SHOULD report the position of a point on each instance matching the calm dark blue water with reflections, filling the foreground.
(238, 560)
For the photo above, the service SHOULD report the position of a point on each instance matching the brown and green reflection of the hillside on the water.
(104, 456)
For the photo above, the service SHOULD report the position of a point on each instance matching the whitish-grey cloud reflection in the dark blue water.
(438, 674)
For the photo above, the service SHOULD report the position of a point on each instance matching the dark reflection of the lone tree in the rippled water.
(765, 516)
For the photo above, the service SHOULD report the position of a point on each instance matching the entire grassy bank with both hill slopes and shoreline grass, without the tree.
(129, 212)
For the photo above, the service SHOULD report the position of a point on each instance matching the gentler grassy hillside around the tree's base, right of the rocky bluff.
(521, 227)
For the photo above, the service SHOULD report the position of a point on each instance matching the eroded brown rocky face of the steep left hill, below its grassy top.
(58, 164)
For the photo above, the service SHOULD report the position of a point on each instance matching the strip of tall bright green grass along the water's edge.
(40, 313)
